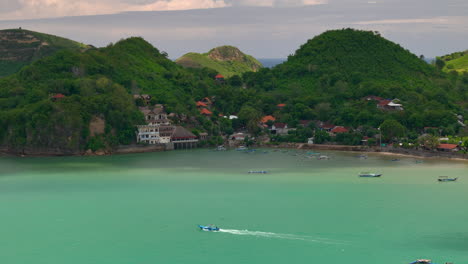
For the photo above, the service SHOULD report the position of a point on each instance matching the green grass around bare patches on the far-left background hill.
(34, 51)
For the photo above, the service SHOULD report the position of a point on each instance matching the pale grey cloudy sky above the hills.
(263, 28)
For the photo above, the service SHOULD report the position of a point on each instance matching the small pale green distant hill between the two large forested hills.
(226, 60)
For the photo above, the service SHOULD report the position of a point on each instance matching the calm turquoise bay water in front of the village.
(144, 208)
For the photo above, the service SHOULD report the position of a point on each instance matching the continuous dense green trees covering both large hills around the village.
(326, 79)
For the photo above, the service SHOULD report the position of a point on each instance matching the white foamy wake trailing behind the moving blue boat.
(281, 236)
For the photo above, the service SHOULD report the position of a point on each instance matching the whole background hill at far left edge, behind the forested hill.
(19, 47)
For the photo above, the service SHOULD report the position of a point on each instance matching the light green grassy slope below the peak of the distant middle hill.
(226, 68)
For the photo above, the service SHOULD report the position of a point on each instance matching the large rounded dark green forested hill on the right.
(328, 77)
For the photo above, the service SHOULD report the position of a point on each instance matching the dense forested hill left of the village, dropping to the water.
(95, 83)
